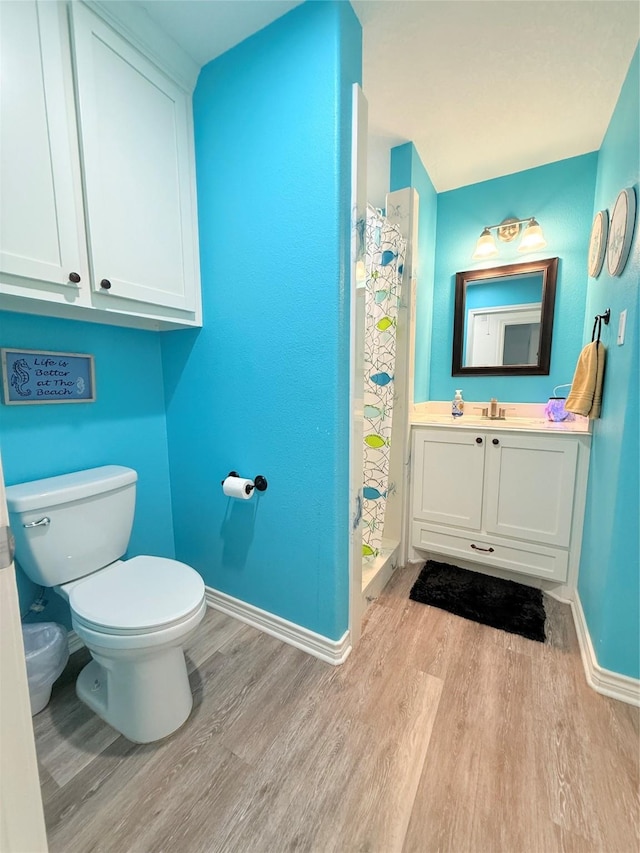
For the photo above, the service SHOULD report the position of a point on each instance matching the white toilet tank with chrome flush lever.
(90, 515)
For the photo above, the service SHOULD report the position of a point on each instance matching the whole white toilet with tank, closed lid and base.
(133, 615)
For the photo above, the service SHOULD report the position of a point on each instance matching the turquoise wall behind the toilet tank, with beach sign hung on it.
(125, 426)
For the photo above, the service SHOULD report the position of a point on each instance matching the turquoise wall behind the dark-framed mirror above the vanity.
(560, 196)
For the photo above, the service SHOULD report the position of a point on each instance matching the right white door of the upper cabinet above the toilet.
(136, 151)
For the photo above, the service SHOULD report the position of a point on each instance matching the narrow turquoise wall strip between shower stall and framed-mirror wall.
(407, 170)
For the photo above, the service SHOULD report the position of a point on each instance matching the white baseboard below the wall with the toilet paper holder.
(331, 651)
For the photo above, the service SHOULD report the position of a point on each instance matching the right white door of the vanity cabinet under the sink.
(529, 487)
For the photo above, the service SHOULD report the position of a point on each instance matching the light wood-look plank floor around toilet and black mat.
(437, 734)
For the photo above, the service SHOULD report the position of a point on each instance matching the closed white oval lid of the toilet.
(144, 593)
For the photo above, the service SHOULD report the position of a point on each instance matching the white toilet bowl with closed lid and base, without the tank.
(134, 616)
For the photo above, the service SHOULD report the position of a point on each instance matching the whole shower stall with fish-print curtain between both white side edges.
(382, 308)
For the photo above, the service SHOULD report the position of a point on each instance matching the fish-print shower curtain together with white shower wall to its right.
(389, 288)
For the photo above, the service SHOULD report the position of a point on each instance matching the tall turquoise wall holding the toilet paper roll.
(264, 387)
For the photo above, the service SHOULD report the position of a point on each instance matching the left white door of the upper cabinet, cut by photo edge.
(39, 217)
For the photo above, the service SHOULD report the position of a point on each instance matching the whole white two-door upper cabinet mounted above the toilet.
(98, 191)
